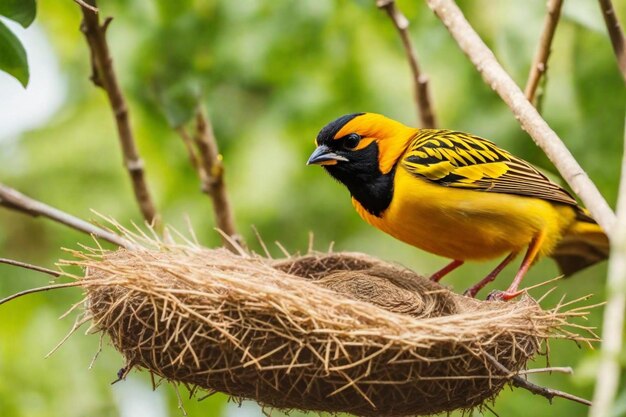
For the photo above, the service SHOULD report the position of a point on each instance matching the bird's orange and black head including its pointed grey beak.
(355, 150)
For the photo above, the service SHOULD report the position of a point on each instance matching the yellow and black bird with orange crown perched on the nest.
(458, 196)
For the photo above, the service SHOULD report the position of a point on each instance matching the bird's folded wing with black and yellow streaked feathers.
(460, 160)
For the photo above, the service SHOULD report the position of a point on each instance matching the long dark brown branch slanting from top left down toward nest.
(104, 76)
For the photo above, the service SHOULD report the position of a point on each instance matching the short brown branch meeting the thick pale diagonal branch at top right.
(540, 61)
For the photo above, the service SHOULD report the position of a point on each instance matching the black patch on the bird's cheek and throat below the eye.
(363, 178)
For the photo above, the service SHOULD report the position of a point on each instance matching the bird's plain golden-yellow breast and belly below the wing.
(465, 224)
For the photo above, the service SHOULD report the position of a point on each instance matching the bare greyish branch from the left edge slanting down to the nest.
(14, 200)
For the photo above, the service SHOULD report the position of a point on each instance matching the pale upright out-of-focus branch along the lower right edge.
(608, 372)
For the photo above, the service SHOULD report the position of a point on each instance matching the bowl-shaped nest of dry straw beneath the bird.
(325, 332)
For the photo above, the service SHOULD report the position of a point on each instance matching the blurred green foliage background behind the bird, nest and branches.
(270, 74)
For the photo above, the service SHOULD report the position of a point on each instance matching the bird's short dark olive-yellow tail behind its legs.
(583, 245)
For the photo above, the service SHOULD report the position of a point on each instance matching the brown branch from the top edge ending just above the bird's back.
(423, 102)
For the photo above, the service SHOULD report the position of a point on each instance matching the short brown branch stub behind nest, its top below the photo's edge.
(212, 179)
